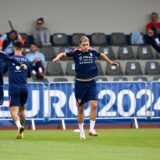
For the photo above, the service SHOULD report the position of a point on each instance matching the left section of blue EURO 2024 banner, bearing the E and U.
(34, 106)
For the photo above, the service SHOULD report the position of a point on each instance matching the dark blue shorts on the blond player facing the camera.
(85, 91)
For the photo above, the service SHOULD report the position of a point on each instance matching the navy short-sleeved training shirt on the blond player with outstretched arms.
(85, 65)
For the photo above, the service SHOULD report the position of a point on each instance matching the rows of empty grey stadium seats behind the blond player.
(133, 59)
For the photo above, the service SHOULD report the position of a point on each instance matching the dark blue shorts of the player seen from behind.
(18, 95)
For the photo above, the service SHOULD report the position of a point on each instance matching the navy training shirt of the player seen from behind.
(17, 75)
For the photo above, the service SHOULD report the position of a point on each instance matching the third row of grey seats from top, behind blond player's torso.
(131, 68)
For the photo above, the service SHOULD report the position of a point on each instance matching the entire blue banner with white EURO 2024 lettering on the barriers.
(115, 100)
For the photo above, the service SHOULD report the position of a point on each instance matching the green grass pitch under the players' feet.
(116, 144)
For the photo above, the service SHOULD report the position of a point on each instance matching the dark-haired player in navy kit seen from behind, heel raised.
(18, 89)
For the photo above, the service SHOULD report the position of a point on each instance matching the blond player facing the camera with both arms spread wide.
(85, 85)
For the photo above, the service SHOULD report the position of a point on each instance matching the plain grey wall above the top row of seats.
(78, 16)
